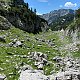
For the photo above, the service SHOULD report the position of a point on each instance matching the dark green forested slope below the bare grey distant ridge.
(62, 22)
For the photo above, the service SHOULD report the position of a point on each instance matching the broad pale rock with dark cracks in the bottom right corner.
(68, 75)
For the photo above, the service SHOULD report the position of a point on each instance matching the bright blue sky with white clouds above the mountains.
(45, 6)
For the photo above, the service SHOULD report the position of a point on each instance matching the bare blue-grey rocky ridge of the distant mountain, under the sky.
(54, 15)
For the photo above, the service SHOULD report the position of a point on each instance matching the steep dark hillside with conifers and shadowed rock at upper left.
(21, 16)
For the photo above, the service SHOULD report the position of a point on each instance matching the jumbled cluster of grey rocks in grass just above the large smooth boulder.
(40, 59)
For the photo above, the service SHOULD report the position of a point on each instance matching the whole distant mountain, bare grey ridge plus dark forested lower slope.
(59, 19)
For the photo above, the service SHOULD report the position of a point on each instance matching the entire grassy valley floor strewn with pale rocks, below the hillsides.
(49, 55)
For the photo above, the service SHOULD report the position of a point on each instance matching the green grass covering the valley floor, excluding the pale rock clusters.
(8, 60)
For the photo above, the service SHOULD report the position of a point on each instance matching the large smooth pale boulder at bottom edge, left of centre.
(32, 75)
